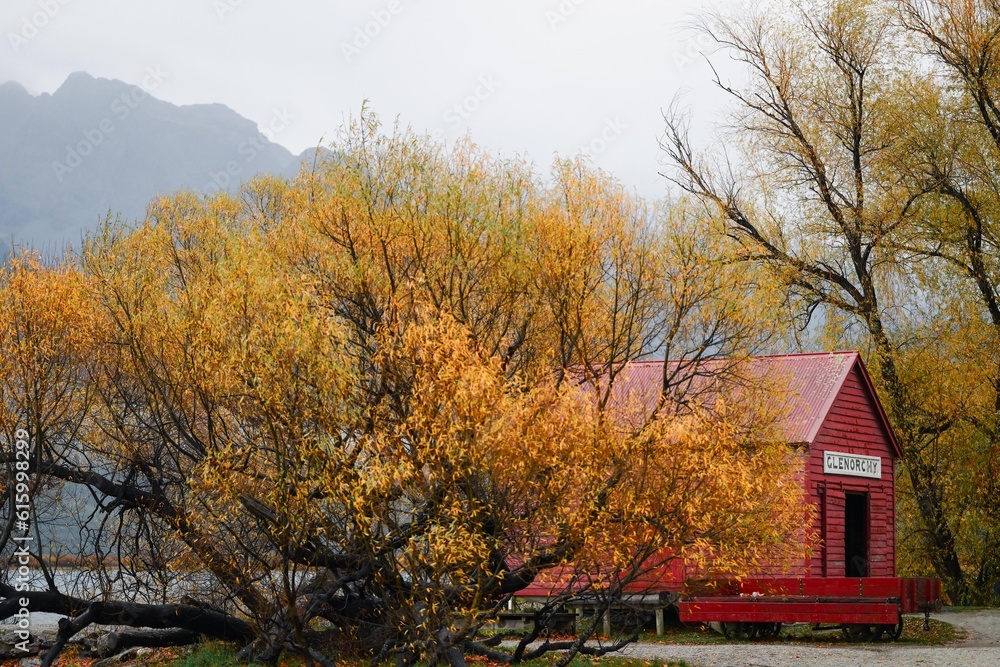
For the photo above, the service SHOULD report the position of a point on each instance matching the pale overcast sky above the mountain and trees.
(530, 77)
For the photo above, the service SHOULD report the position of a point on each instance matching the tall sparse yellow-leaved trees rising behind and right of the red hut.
(864, 180)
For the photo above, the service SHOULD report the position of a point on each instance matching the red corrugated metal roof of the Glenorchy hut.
(810, 383)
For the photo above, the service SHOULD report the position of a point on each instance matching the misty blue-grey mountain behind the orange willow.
(96, 146)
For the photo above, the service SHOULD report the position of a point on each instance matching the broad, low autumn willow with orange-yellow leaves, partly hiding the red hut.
(380, 395)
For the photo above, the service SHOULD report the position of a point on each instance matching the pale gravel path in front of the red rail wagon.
(981, 649)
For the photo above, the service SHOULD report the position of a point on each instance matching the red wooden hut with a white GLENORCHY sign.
(832, 415)
